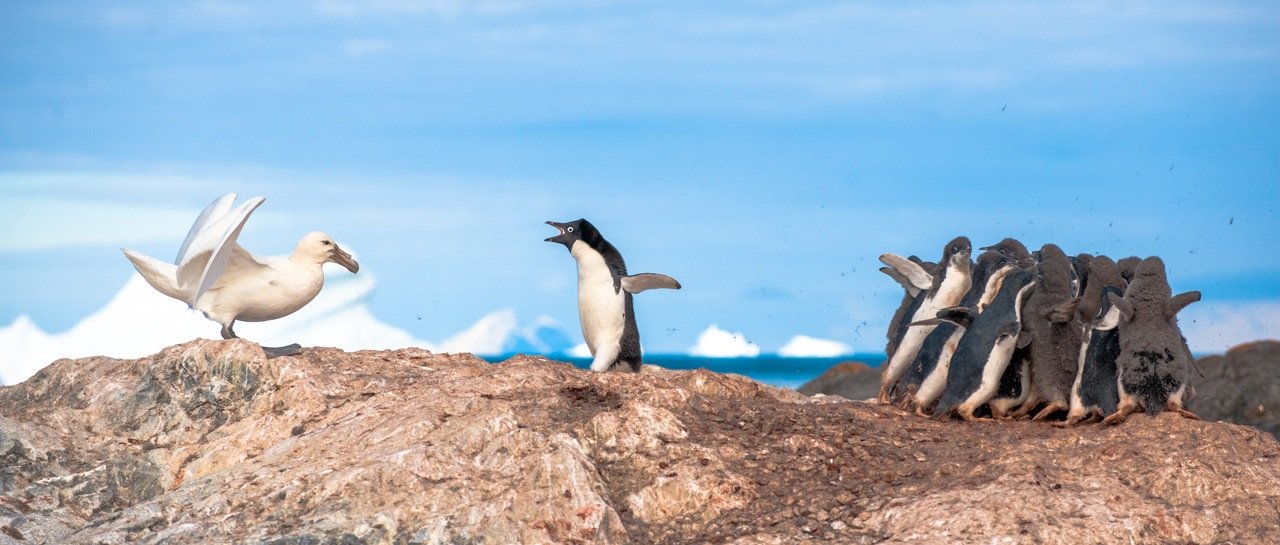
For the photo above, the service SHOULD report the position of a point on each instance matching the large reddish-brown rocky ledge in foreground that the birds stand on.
(209, 442)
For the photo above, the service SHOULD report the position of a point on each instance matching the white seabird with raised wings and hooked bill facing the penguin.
(225, 282)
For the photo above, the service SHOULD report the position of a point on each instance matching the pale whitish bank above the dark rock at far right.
(1218, 326)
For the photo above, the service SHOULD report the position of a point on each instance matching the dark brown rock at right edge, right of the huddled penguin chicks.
(1242, 387)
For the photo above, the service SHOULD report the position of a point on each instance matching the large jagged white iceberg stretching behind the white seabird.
(140, 322)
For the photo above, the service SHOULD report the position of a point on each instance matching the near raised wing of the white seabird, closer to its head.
(211, 249)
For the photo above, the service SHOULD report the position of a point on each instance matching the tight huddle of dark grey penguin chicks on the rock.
(1037, 336)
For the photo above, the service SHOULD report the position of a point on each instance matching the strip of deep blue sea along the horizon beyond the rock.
(772, 370)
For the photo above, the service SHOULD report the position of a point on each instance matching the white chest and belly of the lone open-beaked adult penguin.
(601, 309)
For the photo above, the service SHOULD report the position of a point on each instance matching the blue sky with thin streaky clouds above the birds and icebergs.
(765, 154)
